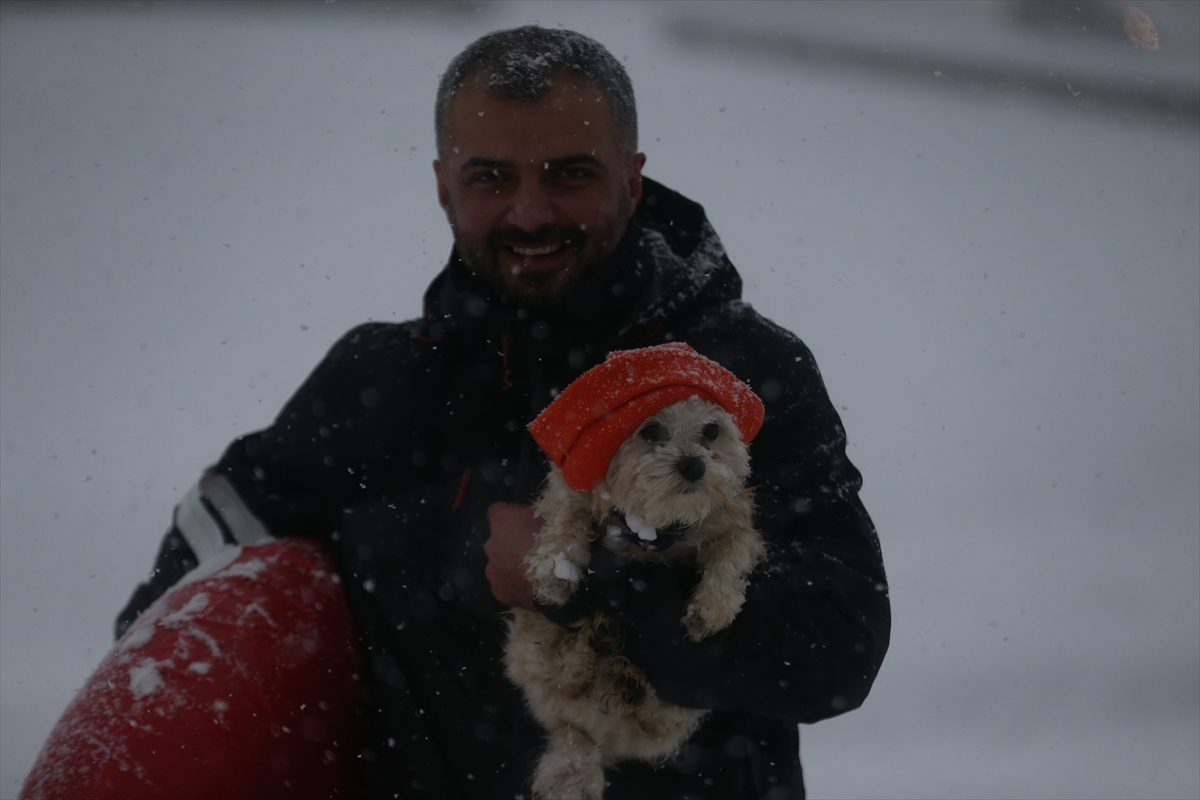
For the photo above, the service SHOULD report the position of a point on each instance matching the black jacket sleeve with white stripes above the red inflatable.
(349, 430)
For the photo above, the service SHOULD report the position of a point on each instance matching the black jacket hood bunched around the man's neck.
(669, 262)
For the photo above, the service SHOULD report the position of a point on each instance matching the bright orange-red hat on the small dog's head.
(583, 429)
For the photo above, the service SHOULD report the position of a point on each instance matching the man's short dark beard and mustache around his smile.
(494, 260)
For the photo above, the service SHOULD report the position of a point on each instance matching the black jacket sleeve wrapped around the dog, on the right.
(815, 625)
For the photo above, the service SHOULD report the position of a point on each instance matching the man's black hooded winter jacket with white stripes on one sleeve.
(395, 447)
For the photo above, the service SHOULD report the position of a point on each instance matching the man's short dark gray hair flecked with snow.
(520, 64)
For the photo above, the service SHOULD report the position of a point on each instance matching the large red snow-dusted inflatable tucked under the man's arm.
(242, 682)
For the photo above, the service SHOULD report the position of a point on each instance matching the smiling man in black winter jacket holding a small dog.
(407, 454)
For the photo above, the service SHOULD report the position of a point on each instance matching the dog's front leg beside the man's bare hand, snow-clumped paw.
(561, 552)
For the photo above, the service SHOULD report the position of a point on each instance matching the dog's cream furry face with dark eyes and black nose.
(680, 466)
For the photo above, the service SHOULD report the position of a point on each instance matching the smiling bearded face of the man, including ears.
(537, 191)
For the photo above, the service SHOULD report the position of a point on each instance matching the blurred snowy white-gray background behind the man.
(982, 218)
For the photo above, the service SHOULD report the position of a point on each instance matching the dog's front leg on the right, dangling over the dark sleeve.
(725, 562)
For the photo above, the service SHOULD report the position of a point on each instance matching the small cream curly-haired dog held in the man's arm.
(676, 490)
